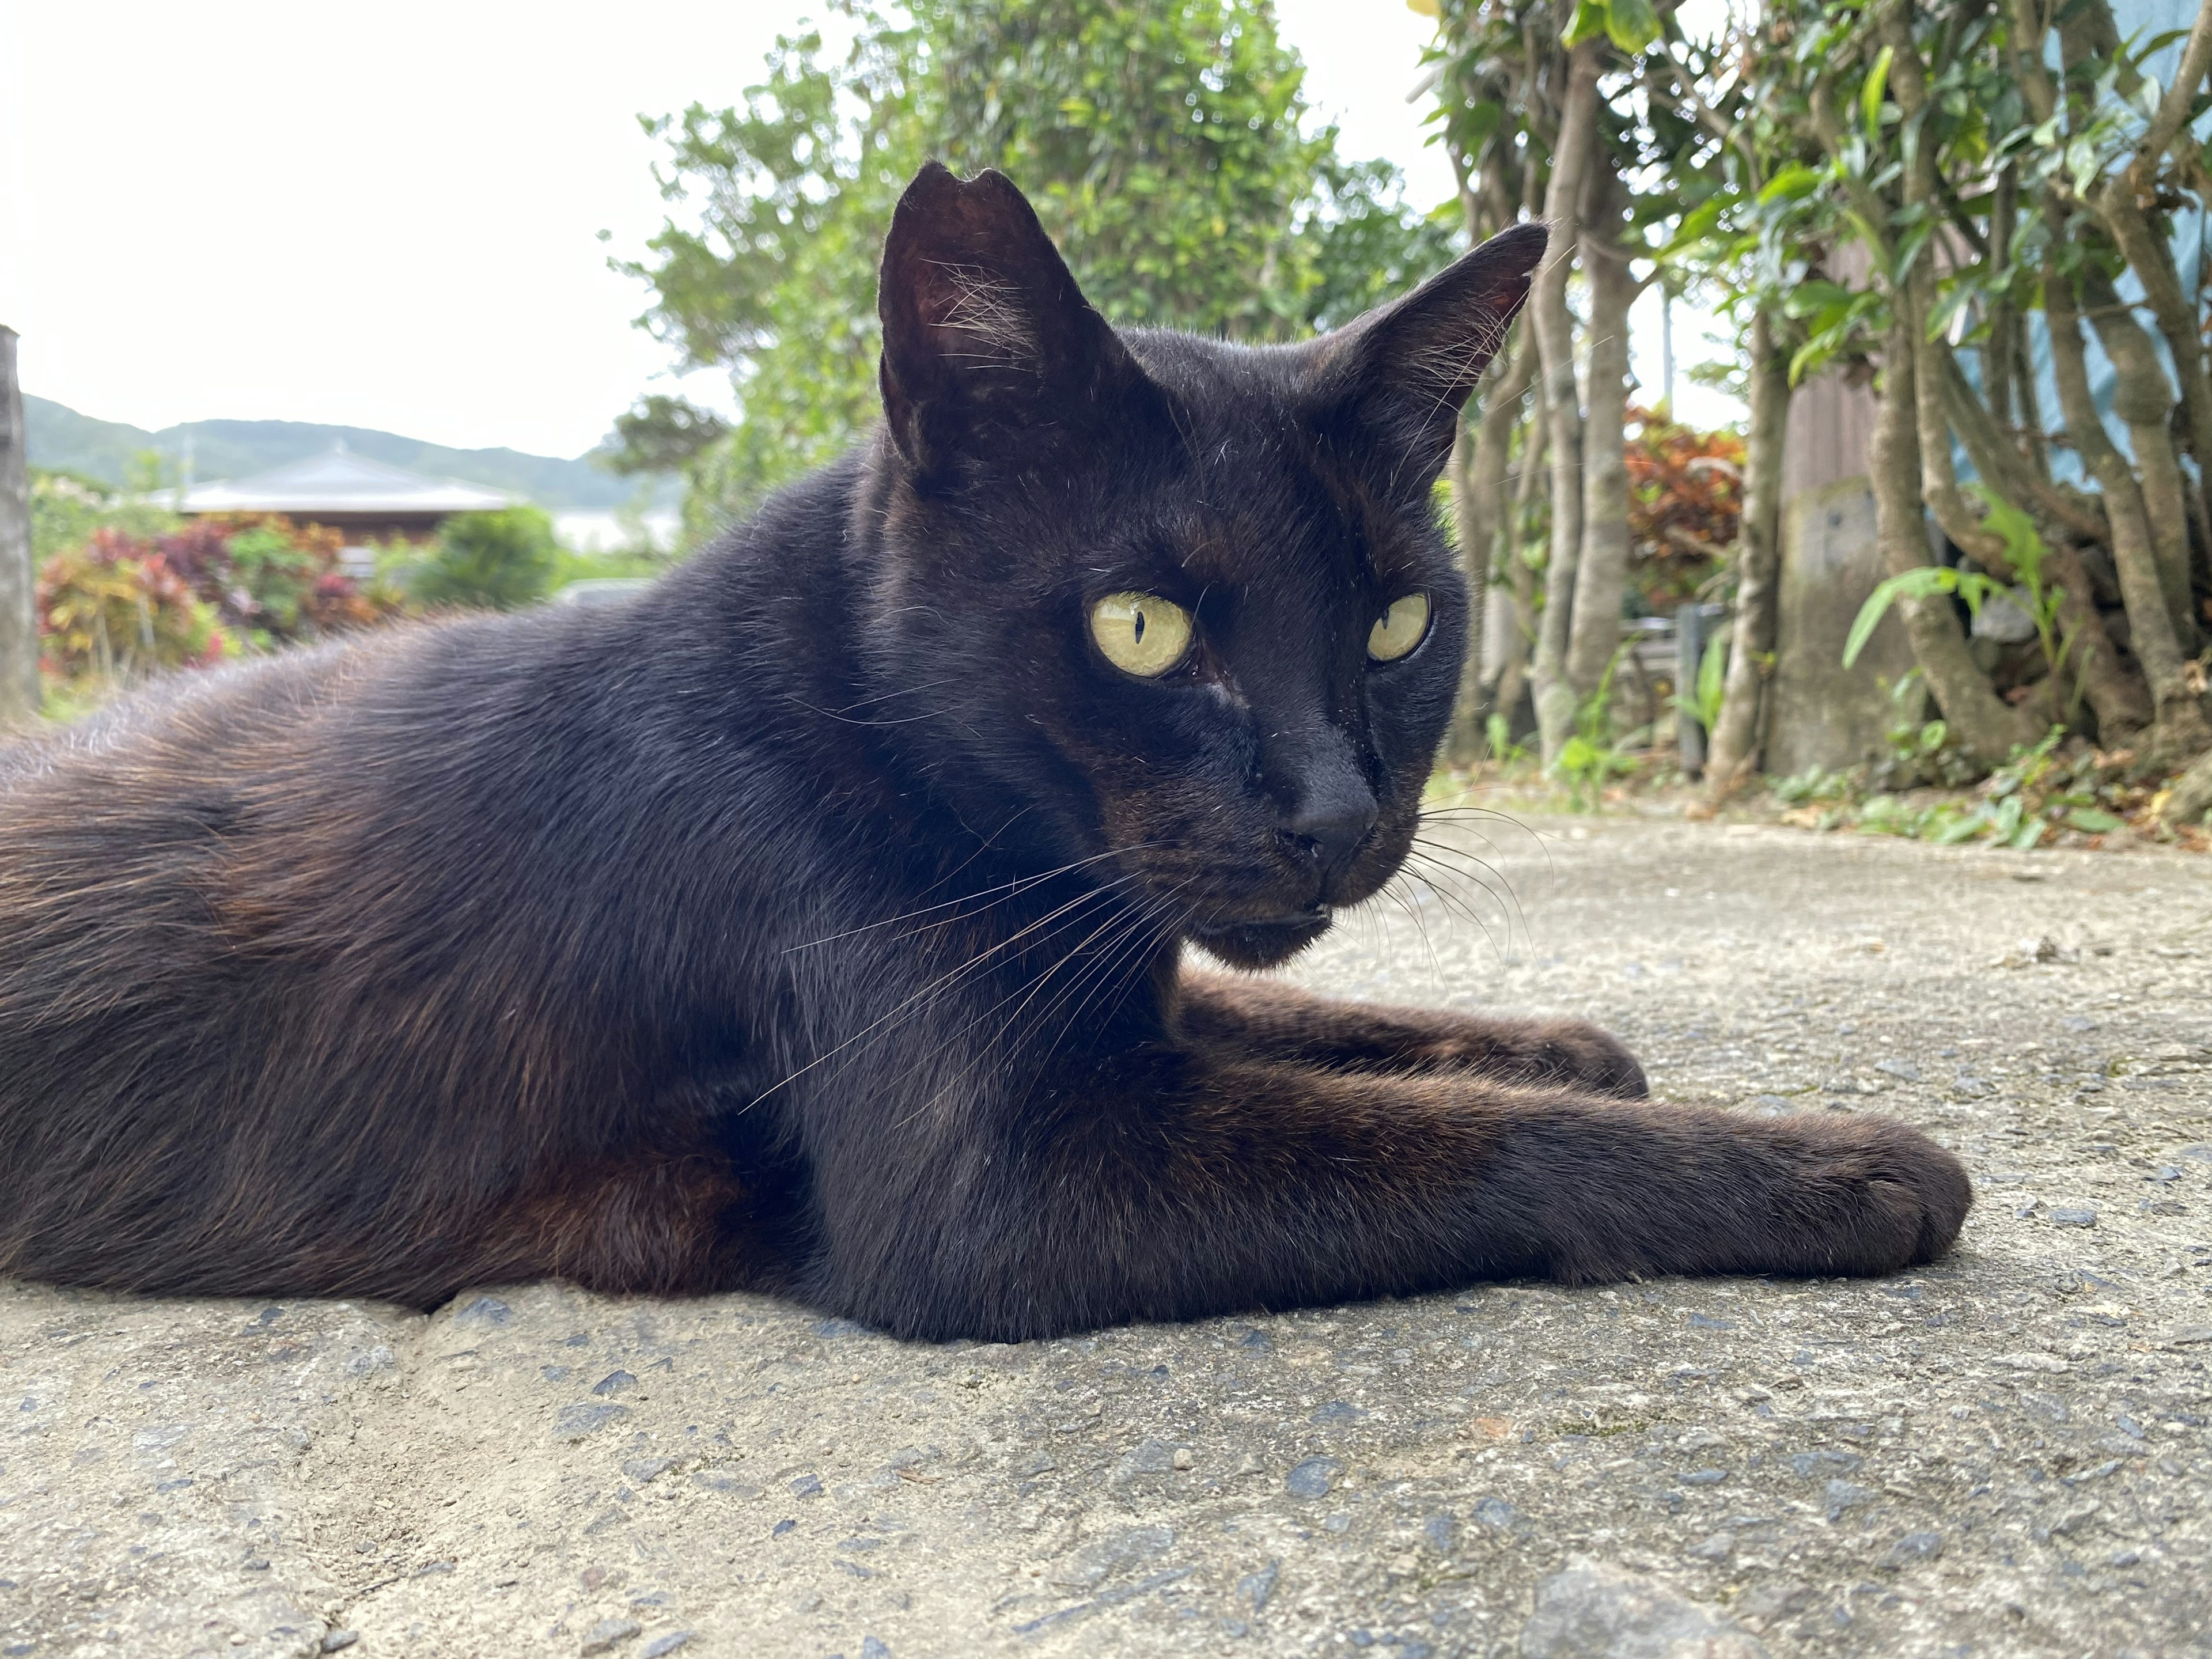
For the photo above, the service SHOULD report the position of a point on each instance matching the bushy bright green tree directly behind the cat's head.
(1162, 147)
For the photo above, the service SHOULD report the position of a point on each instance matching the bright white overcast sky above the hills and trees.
(386, 216)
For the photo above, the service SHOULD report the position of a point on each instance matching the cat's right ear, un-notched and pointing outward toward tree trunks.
(1395, 382)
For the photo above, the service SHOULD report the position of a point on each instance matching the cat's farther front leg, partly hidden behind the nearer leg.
(1269, 1021)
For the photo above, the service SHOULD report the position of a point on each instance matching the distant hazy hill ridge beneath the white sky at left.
(105, 450)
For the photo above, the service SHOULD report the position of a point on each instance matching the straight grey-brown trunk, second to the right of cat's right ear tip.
(1603, 572)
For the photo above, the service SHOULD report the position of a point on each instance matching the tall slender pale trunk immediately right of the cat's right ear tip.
(1554, 326)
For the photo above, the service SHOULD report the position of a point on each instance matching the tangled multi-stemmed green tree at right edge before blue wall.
(1965, 196)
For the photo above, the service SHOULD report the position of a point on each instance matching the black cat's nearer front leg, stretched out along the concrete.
(1169, 1185)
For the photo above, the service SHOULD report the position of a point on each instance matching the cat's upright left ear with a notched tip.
(985, 335)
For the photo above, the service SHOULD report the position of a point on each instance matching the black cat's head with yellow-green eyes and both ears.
(1160, 603)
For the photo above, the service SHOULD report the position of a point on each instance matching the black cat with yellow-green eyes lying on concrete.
(815, 921)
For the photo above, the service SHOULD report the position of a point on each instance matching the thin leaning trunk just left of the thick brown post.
(1740, 733)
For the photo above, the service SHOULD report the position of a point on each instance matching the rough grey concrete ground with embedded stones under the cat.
(2005, 1454)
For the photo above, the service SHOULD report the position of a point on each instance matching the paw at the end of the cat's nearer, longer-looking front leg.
(1866, 1196)
